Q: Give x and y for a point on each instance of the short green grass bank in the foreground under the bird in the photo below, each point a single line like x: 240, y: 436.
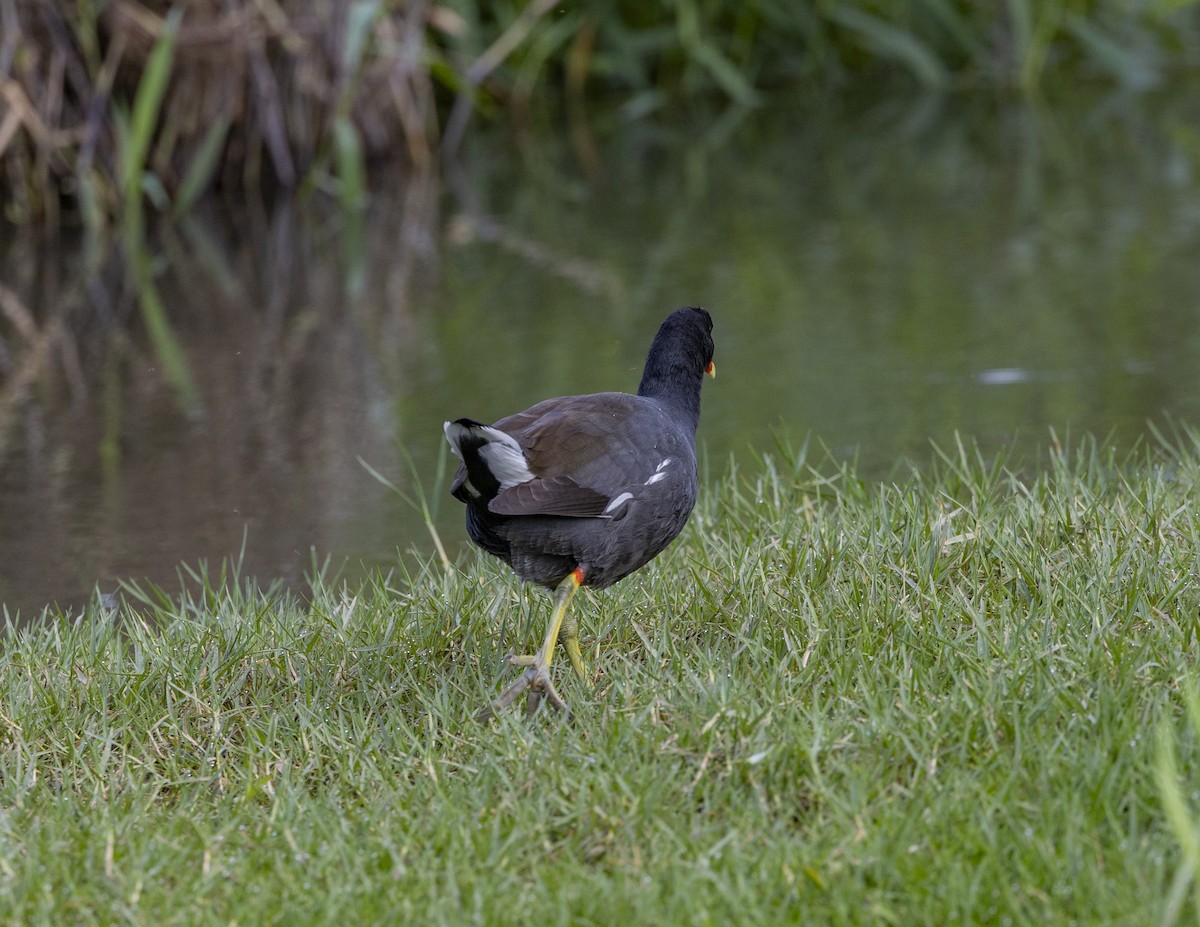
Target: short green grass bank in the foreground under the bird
x: 956, y: 697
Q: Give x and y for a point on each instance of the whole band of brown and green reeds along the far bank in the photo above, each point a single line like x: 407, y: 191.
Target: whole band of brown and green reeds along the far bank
x: 104, y: 103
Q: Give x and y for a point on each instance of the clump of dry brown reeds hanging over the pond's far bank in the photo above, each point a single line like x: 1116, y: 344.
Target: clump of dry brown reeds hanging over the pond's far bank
x: 274, y: 73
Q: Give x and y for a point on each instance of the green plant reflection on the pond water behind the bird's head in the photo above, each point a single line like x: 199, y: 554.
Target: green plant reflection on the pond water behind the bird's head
x: 881, y: 280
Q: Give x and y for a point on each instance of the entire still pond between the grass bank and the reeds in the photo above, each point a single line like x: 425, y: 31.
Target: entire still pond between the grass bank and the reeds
x: 883, y: 274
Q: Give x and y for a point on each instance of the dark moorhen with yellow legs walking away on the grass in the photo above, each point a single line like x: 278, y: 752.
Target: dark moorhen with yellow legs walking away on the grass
x: 585, y: 491
